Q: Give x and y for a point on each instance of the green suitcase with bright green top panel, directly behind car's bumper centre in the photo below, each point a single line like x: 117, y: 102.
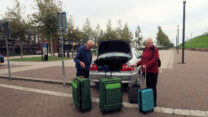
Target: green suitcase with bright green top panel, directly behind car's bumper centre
x: 110, y: 94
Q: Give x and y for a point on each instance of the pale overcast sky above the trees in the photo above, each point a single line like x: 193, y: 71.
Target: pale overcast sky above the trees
x: 149, y: 14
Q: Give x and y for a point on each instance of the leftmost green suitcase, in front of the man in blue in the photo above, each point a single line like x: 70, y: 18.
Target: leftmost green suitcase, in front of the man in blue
x: 81, y: 93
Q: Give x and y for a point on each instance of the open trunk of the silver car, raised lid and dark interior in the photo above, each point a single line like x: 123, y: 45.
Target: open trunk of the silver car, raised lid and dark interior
x: 113, y: 54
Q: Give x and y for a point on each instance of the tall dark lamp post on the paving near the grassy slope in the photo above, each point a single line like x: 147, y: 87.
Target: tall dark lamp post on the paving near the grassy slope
x: 184, y: 11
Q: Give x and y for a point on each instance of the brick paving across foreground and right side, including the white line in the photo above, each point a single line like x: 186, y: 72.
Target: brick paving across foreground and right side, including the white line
x: 182, y: 91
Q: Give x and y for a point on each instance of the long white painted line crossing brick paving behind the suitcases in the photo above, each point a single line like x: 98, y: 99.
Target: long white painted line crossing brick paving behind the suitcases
x: 125, y: 104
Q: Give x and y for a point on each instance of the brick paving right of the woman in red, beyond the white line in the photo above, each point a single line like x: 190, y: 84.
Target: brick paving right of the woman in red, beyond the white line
x: 186, y: 85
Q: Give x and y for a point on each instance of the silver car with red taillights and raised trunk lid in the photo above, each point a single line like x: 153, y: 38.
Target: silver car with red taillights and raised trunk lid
x: 116, y: 52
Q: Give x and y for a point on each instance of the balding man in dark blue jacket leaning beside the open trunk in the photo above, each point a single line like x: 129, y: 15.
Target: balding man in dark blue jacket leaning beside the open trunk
x: 83, y: 59
